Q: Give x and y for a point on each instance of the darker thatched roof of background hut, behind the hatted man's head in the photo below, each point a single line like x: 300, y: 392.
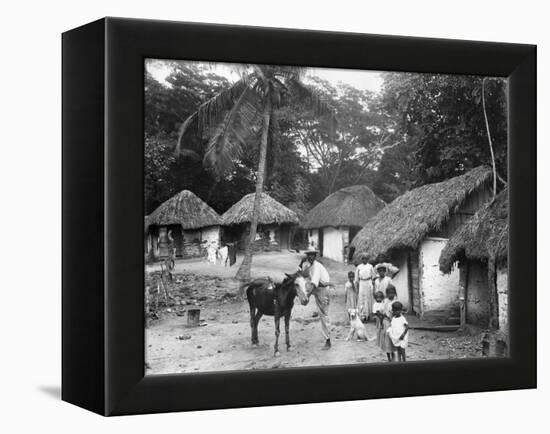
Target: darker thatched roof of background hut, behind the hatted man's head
x: 350, y: 206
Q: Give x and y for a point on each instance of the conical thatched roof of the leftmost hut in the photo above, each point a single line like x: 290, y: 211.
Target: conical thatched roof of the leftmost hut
x: 185, y: 209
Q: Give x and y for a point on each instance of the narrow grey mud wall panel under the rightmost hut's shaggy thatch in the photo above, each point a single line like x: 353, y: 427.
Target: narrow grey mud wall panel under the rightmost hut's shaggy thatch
x: 477, y: 294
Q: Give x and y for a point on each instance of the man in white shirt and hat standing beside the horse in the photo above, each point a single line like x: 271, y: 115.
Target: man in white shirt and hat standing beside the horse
x: 320, y: 279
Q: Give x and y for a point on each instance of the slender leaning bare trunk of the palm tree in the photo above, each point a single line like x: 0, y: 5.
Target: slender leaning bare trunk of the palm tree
x: 244, y: 270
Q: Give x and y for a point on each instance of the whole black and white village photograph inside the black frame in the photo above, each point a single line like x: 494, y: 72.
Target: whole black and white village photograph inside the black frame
x: 299, y: 216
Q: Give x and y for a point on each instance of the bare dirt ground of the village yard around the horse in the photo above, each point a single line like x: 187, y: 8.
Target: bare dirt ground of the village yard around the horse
x: 222, y: 341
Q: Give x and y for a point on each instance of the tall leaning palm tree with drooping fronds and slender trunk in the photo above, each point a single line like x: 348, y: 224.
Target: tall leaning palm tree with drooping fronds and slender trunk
x: 242, y: 112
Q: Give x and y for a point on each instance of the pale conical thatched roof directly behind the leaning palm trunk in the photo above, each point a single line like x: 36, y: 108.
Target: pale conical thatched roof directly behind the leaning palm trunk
x: 271, y: 211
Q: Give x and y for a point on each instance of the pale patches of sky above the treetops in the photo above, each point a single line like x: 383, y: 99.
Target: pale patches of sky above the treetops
x: 364, y: 80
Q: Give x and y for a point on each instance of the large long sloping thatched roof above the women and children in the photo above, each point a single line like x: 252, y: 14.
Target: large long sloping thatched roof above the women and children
x: 408, y: 219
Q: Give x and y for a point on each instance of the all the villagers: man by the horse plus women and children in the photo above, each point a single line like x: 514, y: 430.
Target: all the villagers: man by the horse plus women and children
x: 368, y: 291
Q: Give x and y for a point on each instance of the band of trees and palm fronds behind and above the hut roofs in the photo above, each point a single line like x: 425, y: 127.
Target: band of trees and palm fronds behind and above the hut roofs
x: 420, y: 128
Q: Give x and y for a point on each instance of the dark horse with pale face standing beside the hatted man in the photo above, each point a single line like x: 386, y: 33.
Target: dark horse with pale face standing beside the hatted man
x: 277, y: 300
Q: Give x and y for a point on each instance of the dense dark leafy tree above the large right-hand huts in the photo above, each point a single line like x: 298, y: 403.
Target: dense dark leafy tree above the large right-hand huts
x: 441, y: 119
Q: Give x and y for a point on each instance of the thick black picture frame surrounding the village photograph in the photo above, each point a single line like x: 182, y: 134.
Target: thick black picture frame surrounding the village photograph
x: 103, y: 279
